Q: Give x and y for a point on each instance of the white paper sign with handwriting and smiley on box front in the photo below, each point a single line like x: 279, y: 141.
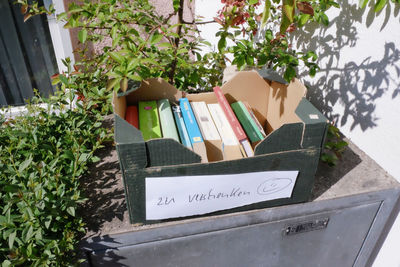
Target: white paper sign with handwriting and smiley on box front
x: 171, y: 197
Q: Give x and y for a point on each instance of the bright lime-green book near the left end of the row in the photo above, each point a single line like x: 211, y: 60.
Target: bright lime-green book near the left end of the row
x: 149, y: 122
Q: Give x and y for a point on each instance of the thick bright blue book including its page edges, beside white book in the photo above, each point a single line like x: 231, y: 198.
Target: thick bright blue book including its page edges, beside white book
x: 193, y: 129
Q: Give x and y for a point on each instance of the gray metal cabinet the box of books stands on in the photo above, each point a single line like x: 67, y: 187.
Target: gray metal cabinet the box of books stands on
x: 344, y: 225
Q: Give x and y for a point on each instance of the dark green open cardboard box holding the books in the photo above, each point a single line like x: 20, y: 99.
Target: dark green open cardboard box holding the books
x: 295, y: 135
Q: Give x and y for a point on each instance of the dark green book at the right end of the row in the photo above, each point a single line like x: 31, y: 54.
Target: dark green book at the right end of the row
x: 247, y: 122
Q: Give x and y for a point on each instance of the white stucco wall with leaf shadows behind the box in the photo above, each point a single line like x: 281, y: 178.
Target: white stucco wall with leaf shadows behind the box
x: 358, y: 86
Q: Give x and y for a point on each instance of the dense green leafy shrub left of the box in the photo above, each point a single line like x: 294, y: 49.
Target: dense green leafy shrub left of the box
x: 42, y: 155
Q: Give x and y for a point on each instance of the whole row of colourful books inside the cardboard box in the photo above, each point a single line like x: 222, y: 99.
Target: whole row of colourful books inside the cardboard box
x: 215, y: 131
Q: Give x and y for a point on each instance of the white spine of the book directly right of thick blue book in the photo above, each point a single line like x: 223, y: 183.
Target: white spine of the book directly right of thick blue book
x: 205, y: 122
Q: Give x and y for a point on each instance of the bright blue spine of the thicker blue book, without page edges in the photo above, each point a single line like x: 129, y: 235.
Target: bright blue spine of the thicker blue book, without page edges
x: 190, y: 121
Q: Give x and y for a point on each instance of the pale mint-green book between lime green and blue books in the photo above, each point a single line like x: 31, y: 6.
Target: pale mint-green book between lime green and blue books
x: 168, y: 127
